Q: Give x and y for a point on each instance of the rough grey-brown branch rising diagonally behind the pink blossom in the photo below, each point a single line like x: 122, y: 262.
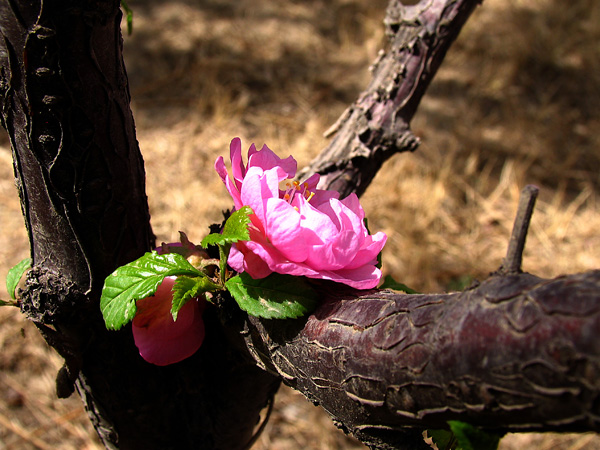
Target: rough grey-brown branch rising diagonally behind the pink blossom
x: 377, y: 125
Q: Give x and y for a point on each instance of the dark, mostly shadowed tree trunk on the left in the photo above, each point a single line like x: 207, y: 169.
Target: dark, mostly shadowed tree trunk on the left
x: 65, y: 105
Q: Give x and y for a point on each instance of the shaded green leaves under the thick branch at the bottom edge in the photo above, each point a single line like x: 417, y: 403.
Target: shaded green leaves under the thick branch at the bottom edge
x: 463, y: 436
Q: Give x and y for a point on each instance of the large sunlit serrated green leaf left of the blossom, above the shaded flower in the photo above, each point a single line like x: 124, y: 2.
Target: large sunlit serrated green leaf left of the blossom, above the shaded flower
x: 137, y: 280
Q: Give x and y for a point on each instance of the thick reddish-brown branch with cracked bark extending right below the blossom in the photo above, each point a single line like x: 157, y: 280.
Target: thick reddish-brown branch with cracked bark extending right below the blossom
x: 514, y: 353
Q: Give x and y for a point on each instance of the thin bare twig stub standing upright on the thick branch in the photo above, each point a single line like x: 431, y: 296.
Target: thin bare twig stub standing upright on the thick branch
x: 514, y: 255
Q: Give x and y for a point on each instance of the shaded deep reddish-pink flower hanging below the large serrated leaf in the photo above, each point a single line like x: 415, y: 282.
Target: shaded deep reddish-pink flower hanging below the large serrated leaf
x: 161, y: 340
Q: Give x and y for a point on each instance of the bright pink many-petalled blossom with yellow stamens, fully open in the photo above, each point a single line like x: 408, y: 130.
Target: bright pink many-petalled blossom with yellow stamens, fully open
x: 296, y: 228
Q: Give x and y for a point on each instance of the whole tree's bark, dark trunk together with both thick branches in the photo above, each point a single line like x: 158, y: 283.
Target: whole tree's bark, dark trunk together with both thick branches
x: 377, y: 361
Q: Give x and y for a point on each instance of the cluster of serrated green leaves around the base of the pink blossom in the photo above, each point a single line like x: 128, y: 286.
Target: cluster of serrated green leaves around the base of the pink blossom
x: 274, y: 297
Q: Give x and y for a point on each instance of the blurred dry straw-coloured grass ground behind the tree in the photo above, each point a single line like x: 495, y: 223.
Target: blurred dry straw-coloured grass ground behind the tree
x: 516, y: 102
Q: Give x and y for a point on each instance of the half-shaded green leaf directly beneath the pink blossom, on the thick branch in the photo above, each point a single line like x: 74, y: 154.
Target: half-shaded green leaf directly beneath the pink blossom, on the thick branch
x: 274, y: 297
